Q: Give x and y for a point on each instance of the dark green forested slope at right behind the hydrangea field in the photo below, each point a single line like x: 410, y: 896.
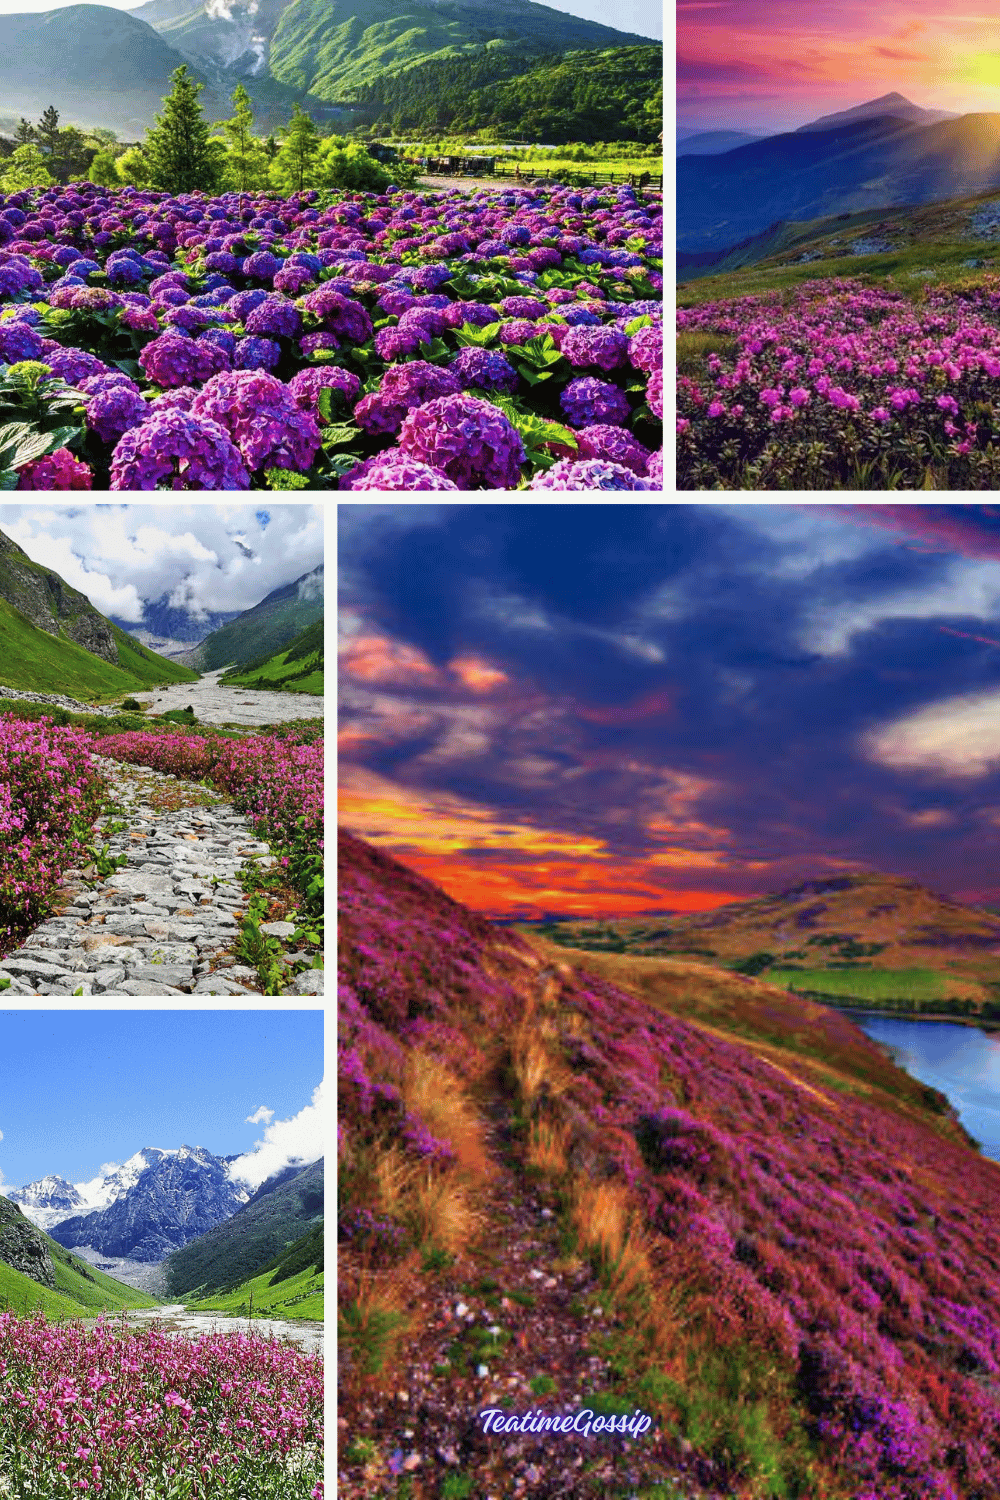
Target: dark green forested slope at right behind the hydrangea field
x: 608, y: 95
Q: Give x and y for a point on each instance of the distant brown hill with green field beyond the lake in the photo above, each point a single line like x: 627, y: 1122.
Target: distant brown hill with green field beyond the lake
x: 872, y: 940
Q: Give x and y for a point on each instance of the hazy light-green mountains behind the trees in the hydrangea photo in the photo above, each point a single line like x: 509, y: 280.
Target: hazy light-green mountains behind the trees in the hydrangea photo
x: 107, y: 67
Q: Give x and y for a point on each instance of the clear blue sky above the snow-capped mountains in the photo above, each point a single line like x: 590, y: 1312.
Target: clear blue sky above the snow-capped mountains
x: 80, y: 1090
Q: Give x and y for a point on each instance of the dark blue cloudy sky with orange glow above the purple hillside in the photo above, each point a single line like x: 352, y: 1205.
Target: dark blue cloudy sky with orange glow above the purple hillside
x: 600, y: 710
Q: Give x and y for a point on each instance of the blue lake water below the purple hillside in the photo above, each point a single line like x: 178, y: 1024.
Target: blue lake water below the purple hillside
x: 960, y: 1061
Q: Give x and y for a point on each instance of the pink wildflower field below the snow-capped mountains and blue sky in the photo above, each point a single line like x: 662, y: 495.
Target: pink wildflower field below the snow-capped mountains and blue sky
x: 142, y: 1415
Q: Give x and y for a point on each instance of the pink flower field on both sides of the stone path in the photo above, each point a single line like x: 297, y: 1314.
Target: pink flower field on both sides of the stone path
x: 52, y: 791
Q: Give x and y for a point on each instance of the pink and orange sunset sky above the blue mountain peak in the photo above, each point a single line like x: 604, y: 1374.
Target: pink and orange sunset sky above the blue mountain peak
x: 747, y: 65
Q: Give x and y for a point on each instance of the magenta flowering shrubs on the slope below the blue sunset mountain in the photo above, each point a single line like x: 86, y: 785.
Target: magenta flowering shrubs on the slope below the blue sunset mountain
x: 842, y: 386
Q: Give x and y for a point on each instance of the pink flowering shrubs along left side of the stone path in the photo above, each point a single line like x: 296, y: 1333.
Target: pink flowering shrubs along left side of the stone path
x: 50, y: 796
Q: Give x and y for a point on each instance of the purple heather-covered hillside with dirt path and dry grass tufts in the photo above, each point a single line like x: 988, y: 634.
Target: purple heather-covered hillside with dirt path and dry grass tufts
x: 557, y: 1193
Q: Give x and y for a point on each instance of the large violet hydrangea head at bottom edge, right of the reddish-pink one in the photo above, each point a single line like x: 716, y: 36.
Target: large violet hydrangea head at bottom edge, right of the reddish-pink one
x: 178, y: 451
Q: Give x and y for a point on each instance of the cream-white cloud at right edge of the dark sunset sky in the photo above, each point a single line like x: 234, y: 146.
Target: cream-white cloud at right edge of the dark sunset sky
x: 957, y: 737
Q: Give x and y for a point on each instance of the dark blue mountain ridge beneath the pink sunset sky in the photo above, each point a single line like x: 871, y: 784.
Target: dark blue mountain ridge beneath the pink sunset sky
x: 852, y: 164
